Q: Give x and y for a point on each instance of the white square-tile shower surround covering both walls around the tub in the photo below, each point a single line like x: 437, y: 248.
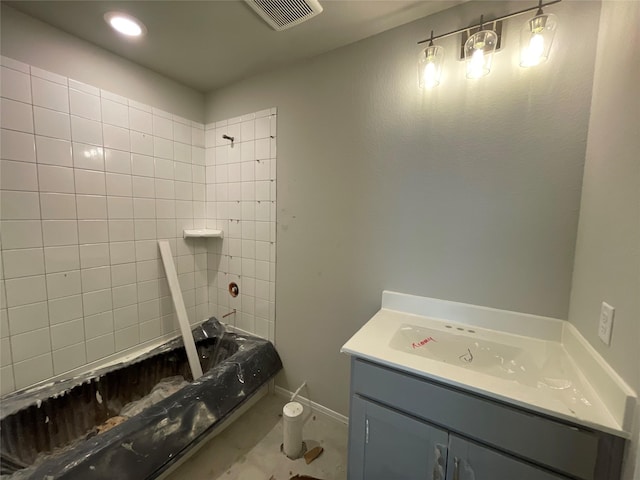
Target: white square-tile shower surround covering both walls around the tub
x: 90, y: 181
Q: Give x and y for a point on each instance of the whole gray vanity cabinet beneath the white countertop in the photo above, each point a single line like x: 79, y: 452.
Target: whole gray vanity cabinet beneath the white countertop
x: 406, y: 427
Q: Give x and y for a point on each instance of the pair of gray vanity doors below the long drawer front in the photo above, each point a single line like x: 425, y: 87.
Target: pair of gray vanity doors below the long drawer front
x: 389, y: 445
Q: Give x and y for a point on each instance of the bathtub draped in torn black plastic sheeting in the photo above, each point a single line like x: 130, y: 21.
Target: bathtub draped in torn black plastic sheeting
x: 51, y: 432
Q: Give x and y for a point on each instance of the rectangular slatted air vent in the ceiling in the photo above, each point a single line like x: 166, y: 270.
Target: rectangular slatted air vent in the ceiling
x: 283, y: 14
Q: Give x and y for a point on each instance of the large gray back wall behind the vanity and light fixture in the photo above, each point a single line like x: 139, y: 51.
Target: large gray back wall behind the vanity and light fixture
x: 469, y: 192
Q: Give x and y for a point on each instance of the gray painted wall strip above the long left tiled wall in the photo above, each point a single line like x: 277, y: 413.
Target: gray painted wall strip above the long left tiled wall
x: 31, y: 41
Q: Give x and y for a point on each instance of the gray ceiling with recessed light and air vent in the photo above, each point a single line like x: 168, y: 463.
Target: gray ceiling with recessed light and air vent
x: 208, y: 44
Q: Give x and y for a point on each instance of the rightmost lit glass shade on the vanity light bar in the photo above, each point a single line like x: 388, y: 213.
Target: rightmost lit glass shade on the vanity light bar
x: 536, y: 38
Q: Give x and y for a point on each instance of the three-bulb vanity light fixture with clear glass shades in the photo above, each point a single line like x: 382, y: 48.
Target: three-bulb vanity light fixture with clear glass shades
x: 478, y: 48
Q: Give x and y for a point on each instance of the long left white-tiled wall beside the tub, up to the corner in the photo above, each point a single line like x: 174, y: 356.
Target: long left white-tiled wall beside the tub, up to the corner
x: 89, y: 181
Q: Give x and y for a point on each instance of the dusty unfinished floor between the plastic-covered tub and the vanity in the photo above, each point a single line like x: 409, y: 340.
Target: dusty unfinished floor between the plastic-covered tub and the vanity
x: 250, y: 448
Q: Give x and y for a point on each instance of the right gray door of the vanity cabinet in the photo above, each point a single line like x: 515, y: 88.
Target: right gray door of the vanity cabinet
x: 470, y: 461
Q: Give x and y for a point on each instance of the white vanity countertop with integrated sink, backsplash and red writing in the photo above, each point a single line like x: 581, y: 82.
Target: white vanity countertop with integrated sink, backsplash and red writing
x: 537, y: 363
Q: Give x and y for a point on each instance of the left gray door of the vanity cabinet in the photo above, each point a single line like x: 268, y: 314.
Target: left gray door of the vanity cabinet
x: 387, y: 445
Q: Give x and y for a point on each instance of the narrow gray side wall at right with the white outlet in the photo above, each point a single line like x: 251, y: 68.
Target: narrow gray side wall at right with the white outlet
x: 607, y: 261
